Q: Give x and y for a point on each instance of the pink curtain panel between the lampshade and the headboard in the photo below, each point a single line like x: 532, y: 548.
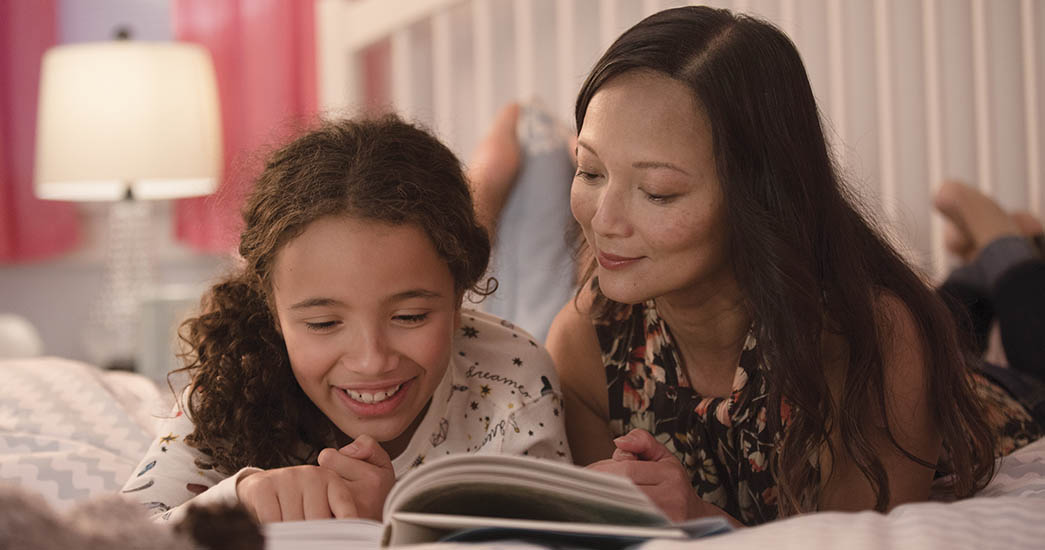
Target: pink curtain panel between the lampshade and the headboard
x: 265, y: 57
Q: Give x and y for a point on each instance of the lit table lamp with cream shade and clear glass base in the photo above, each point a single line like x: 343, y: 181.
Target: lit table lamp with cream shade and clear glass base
x: 126, y: 122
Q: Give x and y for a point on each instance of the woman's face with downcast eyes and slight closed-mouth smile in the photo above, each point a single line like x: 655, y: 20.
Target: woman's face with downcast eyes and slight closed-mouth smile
x: 646, y: 192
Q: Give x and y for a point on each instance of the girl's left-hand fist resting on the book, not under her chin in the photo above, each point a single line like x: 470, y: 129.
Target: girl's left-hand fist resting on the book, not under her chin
x: 296, y: 494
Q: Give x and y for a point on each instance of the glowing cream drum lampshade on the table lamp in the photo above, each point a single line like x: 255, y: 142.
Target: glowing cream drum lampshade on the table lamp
x: 127, y: 118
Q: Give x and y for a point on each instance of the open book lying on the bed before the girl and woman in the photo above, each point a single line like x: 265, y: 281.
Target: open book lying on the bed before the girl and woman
x: 497, y: 497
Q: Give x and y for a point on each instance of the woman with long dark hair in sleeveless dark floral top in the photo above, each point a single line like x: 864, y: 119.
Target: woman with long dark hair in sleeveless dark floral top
x: 740, y: 308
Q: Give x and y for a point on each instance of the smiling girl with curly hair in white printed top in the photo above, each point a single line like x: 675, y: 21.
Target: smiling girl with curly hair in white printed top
x: 340, y: 356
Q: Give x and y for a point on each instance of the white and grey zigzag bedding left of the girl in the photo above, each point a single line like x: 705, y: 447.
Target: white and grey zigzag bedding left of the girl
x: 69, y: 431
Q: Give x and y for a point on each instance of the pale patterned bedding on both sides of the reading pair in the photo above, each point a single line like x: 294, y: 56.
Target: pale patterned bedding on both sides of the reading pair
x: 69, y: 431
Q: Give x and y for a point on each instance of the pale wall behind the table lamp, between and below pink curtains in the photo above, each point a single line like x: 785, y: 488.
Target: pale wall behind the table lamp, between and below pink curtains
x: 58, y: 295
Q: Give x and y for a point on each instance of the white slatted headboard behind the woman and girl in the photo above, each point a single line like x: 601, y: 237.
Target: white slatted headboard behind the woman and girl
x: 915, y: 91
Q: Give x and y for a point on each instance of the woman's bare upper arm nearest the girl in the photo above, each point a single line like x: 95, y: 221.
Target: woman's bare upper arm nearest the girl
x: 574, y: 348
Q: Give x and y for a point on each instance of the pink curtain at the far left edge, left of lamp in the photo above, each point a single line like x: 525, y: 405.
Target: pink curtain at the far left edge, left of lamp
x: 30, y: 228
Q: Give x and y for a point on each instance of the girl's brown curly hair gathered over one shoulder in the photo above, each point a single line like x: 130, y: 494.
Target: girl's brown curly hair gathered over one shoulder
x: 247, y: 407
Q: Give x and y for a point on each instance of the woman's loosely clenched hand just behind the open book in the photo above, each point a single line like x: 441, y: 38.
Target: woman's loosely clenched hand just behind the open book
x: 660, y: 475
